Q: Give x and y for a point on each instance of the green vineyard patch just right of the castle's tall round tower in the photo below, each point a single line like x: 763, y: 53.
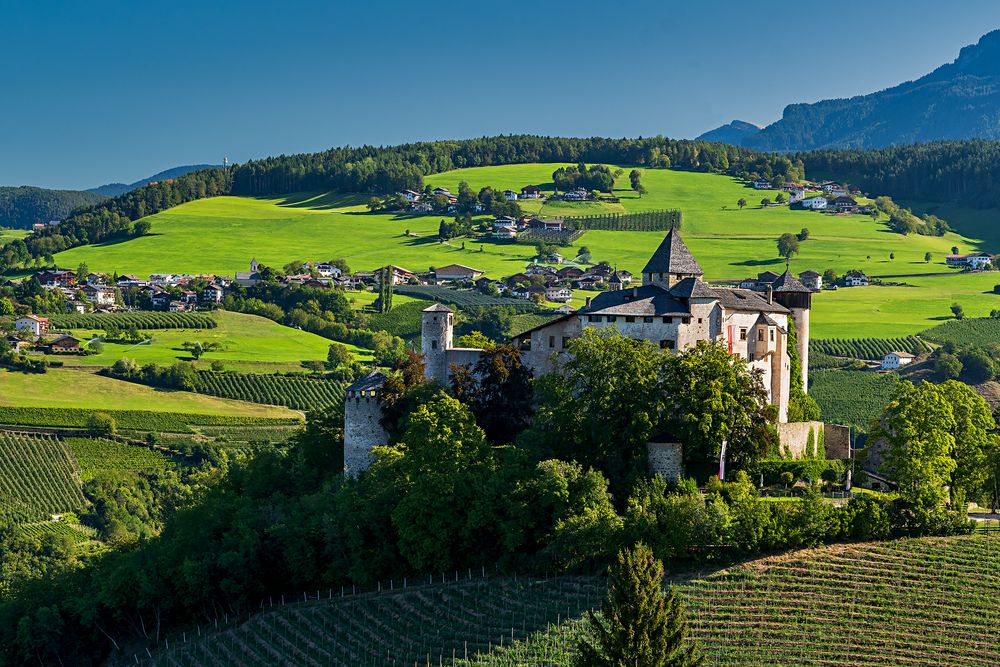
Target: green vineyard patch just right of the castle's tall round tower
x: 851, y: 398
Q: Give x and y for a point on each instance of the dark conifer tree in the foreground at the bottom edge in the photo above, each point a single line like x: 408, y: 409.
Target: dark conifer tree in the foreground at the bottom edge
x: 641, y: 627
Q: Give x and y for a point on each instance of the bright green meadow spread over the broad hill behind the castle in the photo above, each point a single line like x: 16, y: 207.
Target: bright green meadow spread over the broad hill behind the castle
x: 222, y: 234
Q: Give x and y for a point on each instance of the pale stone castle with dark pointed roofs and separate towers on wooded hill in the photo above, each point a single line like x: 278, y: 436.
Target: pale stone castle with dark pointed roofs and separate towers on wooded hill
x: 672, y: 308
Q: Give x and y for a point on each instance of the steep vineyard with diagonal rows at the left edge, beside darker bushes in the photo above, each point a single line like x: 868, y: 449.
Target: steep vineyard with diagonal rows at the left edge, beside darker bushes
x: 37, y: 478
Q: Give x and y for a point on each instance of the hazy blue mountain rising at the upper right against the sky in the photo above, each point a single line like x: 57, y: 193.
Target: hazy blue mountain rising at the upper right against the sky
x: 960, y: 100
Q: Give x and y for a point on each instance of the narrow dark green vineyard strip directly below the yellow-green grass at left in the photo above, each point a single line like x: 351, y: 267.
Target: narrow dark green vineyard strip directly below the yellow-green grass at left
x: 136, y: 420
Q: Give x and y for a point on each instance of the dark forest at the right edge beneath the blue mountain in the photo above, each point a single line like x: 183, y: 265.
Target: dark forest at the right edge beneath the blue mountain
x: 966, y: 172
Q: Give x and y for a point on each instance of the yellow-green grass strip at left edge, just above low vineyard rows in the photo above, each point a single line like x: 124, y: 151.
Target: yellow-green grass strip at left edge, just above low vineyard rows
x: 82, y: 388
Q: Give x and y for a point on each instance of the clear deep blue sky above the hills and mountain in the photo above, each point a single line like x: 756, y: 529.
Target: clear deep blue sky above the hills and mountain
x: 115, y: 91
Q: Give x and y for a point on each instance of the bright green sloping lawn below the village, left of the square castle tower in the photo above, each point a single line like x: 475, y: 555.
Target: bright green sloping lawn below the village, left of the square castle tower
x: 249, y: 343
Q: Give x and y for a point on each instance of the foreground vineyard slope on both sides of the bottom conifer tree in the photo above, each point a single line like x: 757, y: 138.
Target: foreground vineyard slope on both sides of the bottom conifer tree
x: 918, y: 602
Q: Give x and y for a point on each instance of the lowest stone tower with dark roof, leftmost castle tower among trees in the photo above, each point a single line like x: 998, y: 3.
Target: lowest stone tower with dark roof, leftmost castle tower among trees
x: 362, y: 422
